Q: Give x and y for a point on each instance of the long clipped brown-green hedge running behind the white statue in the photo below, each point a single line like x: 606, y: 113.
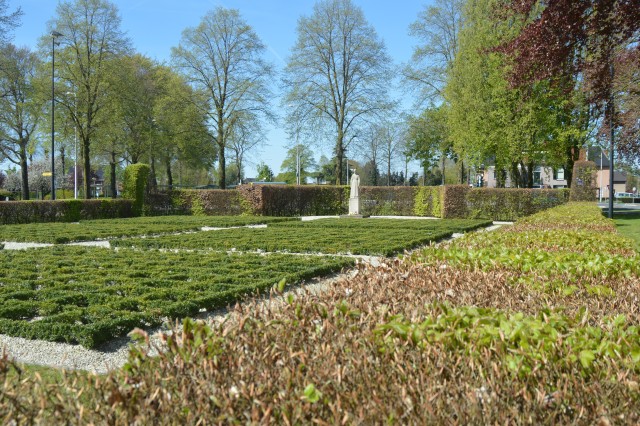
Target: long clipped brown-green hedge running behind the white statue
x: 451, y: 201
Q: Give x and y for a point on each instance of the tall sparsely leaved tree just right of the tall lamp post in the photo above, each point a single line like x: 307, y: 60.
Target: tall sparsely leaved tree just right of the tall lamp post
x: 91, y: 38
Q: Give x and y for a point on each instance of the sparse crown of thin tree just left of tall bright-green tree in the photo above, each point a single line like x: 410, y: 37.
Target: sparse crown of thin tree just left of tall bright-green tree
x: 437, y: 30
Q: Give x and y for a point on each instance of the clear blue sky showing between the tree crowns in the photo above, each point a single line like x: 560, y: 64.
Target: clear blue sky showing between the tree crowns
x: 154, y: 26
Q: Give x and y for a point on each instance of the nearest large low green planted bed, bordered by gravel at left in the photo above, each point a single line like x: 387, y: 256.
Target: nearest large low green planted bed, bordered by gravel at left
x: 88, y: 296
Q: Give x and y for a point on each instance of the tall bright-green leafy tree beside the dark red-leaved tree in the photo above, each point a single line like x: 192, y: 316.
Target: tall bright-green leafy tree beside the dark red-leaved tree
x: 487, y: 119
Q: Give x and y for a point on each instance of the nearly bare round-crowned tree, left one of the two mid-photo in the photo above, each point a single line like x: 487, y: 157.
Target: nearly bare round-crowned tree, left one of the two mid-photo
x: 223, y: 57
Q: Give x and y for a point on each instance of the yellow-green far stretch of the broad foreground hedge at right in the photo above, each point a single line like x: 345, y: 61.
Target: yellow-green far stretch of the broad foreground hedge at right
x: 552, y: 250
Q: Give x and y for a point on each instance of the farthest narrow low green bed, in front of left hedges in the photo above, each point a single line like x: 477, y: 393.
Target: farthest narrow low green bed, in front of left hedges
x: 91, y: 230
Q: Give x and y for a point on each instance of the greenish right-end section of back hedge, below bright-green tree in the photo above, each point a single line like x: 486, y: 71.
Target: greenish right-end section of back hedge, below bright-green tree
x: 512, y: 203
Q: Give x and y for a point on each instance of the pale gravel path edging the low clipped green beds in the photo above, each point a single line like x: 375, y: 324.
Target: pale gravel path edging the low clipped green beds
x: 114, y: 354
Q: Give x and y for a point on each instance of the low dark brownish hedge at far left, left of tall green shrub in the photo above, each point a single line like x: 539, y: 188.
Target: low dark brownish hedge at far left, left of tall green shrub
x: 15, y: 212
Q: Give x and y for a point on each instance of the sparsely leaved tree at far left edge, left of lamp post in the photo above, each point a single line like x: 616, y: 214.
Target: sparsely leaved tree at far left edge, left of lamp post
x: 20, y: 107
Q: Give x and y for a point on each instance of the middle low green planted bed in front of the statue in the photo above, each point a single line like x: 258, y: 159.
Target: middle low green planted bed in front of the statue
x: 330, y: 236
